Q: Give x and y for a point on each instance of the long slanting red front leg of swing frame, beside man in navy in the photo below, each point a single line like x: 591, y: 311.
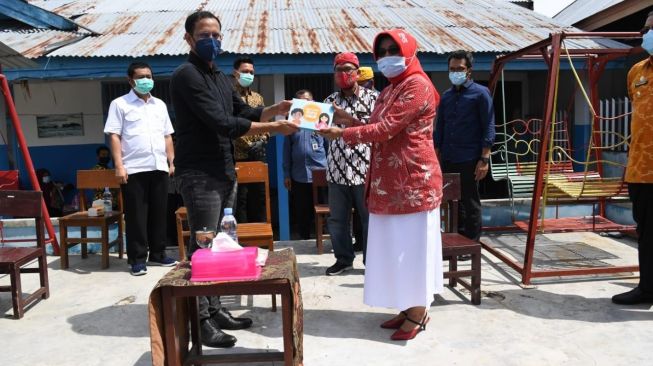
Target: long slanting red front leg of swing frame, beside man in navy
x: 556, y: 40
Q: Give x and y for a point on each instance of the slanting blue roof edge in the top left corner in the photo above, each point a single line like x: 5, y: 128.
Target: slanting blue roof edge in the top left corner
x: 35, y: 16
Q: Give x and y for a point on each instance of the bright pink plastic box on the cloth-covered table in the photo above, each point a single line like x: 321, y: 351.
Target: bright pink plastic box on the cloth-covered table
x: 225, y: 266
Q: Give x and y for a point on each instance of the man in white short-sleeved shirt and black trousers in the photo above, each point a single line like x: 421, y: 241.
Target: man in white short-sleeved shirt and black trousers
x: 139, y: 130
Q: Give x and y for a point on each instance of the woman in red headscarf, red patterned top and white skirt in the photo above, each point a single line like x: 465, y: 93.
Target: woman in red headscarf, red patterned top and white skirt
x: 403, y: 187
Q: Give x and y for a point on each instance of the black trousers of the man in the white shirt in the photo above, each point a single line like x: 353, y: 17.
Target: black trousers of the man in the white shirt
x: 145, y: 196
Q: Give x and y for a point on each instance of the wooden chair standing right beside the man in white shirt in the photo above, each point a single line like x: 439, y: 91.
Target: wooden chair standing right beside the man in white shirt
x: 92, y: 180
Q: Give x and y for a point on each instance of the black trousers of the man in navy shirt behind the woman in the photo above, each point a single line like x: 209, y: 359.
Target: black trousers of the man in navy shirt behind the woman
x: 469, y: 211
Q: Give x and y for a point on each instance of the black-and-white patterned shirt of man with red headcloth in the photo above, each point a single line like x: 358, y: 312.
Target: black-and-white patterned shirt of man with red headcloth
x: 347, y: 165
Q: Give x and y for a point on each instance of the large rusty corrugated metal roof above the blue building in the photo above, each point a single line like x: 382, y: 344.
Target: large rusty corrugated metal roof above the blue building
x: 143, y: 28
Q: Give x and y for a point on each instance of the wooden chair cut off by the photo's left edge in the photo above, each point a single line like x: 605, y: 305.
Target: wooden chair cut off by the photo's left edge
x: 12, y: 260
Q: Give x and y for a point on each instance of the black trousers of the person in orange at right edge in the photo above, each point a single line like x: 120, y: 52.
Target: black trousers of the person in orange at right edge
x: 641, y: 194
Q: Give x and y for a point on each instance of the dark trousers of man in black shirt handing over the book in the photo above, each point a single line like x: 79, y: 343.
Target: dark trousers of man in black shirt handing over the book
x: 205, y: 199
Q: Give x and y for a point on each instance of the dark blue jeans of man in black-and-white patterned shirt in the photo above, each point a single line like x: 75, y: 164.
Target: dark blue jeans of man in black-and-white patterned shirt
x: 342, y: 199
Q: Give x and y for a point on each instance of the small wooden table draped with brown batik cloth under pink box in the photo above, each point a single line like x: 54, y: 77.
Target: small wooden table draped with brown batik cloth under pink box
x: 173, y: 304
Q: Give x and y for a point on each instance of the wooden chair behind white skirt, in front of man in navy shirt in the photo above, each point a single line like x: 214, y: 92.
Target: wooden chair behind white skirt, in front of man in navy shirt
x: 454, y: 244
